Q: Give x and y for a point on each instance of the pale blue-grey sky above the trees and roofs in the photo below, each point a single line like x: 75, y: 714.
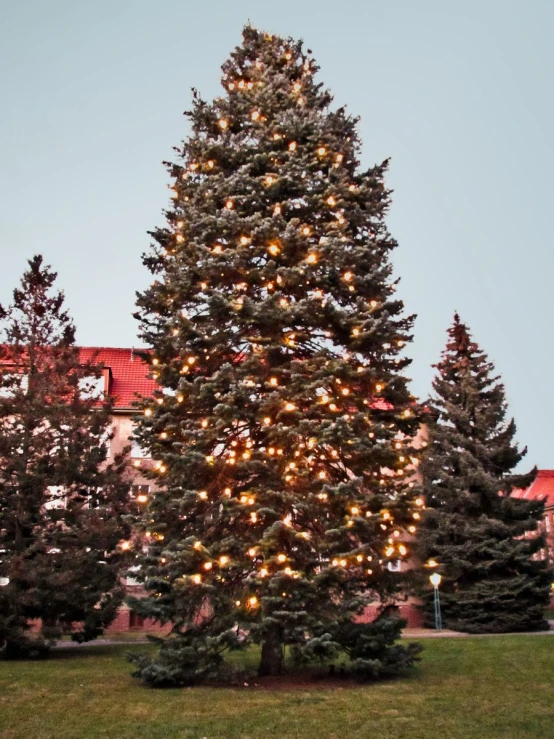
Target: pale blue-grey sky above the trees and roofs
x: 459, y: 95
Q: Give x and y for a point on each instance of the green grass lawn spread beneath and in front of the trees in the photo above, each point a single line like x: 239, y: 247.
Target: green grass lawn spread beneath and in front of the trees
x: 464, y: 688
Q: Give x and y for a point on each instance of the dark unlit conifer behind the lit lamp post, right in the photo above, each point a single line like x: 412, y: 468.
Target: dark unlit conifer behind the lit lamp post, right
x: 483, y: 540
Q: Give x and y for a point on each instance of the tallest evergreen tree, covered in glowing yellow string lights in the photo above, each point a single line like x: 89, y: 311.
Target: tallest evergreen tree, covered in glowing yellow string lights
x: 282, y: 428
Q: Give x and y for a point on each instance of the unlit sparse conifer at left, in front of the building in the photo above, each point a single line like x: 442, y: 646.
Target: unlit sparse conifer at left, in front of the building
x: 61, y: 504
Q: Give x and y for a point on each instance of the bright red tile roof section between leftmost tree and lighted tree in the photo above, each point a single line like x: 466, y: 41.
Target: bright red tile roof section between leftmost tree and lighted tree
x: 128, y: 372
